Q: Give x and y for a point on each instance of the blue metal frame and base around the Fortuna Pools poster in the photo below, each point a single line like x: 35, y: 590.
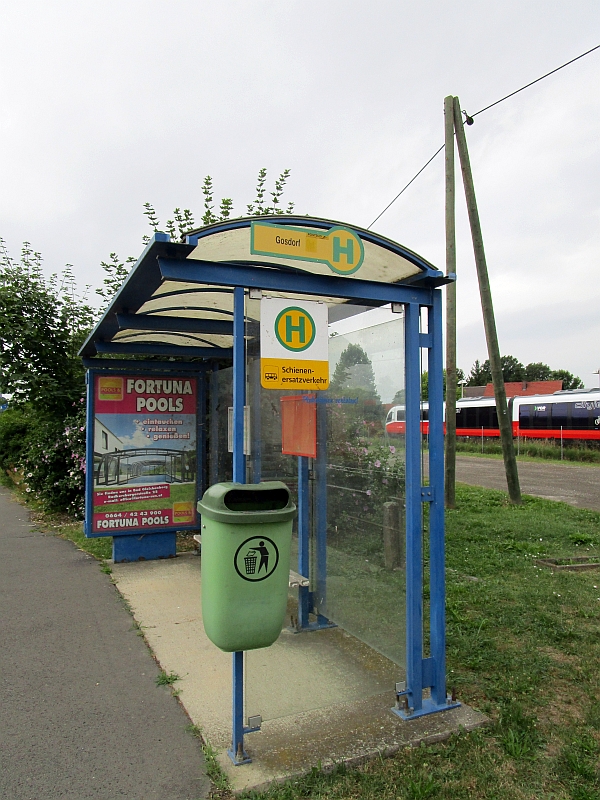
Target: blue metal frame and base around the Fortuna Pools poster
x: 133, y: 544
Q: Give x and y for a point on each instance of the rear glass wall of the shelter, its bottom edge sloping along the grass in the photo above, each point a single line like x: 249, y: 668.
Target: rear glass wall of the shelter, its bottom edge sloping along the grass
x: 365, y: 582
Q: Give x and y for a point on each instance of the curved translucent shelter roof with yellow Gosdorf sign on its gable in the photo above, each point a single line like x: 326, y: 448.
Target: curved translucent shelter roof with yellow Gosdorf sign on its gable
x: 158, y: 312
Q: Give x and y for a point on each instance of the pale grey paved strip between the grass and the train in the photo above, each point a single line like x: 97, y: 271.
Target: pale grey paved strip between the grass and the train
x: 570, y: 483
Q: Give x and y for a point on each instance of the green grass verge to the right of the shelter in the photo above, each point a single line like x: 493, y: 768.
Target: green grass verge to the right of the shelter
x: 523, y: 647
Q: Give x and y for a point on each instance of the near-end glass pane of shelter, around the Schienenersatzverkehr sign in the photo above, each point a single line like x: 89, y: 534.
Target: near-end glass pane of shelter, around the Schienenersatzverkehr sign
x: 356, y: 520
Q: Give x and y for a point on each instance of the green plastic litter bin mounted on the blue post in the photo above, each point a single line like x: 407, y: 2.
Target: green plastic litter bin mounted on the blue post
x: 246, y: 542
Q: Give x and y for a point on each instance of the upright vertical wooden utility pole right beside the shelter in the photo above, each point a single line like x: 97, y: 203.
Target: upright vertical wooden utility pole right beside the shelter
x: 450, y: 473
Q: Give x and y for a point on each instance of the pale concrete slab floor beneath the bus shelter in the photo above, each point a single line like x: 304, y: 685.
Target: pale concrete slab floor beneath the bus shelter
x: 324, y: 696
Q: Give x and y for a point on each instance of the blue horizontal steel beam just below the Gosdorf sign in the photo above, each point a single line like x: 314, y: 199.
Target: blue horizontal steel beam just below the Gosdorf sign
x: 224, y: 274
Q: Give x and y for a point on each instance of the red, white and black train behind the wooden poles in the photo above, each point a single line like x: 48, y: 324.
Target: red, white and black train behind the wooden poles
x: 567, y: 415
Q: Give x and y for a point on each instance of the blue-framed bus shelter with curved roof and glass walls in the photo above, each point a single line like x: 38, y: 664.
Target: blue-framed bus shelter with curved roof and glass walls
x: 271, y: 348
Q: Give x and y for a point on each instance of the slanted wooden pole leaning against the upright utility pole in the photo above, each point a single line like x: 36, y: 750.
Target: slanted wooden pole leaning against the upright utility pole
x: 508, y: 450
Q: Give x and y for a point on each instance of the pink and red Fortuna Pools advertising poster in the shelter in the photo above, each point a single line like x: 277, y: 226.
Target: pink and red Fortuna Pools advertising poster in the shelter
x: 145, y: 462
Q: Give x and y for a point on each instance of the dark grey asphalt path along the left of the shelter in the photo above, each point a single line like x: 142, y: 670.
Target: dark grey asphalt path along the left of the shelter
x: 80, y: 714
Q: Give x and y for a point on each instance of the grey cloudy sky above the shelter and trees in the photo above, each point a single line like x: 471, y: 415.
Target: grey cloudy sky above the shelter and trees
x: 106, y: 106
